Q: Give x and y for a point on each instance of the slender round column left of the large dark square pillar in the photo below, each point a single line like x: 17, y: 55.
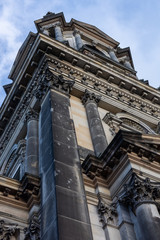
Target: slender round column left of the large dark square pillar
x: 31, y: 164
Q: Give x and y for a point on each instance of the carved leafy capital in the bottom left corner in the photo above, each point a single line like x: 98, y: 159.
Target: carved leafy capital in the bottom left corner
x: 7, y: 230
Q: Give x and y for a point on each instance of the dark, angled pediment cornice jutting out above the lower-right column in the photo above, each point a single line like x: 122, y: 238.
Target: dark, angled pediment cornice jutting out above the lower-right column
x: 124, y: 143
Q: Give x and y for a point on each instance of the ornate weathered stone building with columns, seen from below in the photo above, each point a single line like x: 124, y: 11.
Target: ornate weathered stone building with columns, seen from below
x: 79, y: 140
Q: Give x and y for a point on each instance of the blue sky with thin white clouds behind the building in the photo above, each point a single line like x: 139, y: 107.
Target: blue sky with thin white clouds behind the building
x: 133, y: 23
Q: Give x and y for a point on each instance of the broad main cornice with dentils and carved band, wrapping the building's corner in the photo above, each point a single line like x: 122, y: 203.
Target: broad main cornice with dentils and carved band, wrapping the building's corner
x: 86, y: 72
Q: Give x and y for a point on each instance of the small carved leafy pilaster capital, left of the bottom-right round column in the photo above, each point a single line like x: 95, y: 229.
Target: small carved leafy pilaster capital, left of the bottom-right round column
x: 107, y: 212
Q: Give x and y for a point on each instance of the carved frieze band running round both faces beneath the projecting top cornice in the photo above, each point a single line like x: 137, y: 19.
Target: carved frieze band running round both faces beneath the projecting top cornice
x: 105, y: 87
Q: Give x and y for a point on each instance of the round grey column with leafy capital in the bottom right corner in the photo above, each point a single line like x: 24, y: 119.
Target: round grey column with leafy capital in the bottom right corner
x: 140, y: 195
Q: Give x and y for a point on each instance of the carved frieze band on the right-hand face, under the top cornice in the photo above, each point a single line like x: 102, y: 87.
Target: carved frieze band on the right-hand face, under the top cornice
x: 110, y: 90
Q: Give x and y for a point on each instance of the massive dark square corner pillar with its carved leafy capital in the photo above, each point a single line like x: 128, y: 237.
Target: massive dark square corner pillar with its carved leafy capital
x: 64, y: 212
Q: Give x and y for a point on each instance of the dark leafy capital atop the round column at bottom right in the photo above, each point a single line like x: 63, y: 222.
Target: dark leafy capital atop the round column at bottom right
x: 138, y: 191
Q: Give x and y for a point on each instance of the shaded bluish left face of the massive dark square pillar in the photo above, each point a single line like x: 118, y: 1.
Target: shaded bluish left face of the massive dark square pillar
x: 48, y: 194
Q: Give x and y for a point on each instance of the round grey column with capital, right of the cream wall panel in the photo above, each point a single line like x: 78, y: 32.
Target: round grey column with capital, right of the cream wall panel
x: 90, y: 101
